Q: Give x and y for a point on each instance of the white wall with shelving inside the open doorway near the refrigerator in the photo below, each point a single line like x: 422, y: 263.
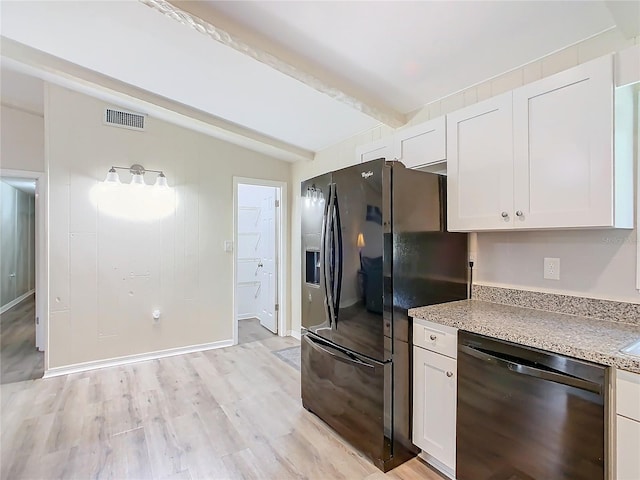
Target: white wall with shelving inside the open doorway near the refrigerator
x: 249, y: 291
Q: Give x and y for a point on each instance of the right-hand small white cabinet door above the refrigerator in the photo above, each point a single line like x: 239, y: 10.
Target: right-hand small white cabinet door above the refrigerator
x: 421, y: 144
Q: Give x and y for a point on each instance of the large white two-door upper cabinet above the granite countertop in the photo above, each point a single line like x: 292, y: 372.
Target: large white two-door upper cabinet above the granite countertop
x: 541, y: 157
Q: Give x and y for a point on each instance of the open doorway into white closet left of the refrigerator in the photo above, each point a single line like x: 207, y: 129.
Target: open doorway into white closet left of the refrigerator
x: 258, y: 238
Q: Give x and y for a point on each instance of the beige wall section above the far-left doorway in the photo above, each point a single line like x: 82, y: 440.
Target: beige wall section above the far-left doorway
x: 21, y: 140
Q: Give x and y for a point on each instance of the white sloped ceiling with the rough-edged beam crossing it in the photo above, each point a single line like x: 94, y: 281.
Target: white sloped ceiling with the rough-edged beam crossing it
x: 305, y: 74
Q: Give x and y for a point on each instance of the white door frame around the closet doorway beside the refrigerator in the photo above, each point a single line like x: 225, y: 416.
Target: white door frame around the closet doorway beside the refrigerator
x: 281, y: 249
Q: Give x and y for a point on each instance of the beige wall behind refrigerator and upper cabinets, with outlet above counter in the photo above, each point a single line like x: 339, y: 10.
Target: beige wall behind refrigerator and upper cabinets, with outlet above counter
x: 599, y: 264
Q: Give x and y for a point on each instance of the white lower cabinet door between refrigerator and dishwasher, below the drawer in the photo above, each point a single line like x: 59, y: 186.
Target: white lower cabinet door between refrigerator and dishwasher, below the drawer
x: 434, y: 405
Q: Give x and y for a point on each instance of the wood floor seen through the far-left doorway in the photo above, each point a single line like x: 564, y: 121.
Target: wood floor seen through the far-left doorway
x: 19, y: 358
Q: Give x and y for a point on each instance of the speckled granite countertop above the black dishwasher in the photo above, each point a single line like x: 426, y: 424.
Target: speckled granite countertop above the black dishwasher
x: 590, y: 339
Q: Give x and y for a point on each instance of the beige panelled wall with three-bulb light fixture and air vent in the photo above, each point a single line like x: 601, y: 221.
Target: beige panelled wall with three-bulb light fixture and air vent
x: 108, y: 274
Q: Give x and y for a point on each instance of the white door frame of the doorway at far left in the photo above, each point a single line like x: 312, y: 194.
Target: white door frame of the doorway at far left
x: 42, y: 253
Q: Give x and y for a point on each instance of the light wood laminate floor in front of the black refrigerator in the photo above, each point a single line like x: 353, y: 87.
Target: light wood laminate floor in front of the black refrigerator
x: 232, y: 413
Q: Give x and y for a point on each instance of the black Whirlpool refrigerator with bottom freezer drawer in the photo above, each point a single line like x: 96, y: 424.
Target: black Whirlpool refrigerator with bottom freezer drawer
x: 374, y: 244
